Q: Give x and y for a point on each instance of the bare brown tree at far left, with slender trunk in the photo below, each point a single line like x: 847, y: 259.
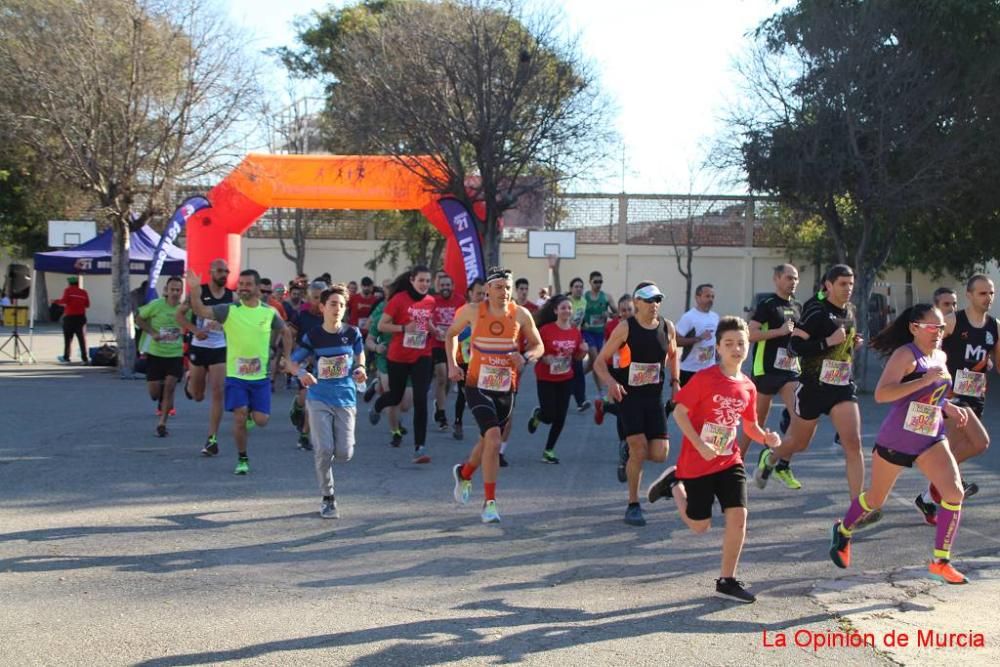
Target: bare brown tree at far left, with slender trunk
x: 126, y: 99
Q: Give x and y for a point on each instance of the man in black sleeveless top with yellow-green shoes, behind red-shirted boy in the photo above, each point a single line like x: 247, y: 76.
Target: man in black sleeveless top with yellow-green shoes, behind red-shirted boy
x: 775, y: 371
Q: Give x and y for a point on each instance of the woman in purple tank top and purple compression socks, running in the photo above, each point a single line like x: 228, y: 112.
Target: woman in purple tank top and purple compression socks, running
x: 915, y: 381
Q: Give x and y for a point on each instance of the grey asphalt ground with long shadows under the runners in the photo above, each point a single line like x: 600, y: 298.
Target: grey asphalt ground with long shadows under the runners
x: 117, y: 547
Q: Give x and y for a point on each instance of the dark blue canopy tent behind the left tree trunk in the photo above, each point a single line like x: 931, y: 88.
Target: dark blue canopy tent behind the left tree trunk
x: 94, y: 258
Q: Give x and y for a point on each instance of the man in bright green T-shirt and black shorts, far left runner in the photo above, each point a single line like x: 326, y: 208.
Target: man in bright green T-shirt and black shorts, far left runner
x: 165, y: 360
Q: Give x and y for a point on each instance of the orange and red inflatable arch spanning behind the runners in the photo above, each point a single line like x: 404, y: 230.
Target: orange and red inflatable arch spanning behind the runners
x: 358, y: 182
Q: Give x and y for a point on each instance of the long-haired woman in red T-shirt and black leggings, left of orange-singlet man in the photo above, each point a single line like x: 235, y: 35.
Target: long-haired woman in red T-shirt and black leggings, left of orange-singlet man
x: 410, y: 313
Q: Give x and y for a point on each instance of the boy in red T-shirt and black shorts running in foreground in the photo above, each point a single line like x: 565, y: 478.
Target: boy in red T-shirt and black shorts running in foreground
x: 708, y: 411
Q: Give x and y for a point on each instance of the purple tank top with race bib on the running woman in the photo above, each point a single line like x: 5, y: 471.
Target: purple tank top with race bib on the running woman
x: 913, y: 424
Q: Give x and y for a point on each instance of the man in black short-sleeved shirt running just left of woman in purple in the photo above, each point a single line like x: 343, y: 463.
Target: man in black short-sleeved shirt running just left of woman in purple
x: 825, y: 339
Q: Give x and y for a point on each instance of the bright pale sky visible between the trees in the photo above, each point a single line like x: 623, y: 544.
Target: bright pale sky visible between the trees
x: 666, y: 64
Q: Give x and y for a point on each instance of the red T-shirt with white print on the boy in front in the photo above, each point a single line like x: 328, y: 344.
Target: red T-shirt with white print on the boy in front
x: 720, y: 402
